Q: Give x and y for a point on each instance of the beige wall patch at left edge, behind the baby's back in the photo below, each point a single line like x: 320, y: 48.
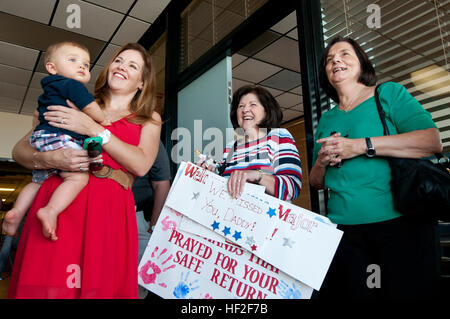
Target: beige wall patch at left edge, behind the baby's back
x: 12, y: 128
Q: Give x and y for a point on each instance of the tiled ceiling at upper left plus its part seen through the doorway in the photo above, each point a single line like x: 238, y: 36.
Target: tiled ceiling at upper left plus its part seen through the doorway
x: 271, y: 60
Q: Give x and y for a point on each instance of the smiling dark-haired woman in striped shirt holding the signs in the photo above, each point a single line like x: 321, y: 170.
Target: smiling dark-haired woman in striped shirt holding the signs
x: 262, y: 153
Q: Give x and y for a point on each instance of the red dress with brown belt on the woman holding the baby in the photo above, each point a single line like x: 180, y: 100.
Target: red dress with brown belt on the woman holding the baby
x: 96, y: 254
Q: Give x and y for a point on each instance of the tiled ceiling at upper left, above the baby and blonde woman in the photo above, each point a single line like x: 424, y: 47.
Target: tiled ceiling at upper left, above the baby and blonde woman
x: 34, y: 24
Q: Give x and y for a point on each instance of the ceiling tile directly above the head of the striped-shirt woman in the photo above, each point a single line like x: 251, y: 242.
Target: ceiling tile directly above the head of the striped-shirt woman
x: 254, y: 71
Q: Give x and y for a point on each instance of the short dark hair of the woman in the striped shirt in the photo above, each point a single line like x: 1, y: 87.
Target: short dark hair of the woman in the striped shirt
x: 271, y: 107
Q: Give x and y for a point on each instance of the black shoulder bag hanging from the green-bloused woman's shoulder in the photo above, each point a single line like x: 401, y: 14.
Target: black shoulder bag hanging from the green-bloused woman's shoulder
x: 420, y: 188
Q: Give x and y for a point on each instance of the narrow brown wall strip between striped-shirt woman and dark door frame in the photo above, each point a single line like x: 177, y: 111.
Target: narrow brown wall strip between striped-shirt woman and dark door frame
x: 297, y: 129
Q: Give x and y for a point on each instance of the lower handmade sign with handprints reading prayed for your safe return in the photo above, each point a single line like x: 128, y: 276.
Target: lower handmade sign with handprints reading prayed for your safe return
x: 178, y: 264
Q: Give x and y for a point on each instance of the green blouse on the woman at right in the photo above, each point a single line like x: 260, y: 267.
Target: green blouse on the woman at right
x: 360, y: 191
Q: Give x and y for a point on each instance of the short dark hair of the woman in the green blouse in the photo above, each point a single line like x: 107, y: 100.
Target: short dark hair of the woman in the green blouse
x: 367, y: 77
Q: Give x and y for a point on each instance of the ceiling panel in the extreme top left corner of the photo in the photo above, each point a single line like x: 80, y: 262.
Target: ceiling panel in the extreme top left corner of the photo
x: 39, y: 11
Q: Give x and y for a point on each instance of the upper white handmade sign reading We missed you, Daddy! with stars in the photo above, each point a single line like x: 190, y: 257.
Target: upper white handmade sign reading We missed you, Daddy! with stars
x: 297, y: 241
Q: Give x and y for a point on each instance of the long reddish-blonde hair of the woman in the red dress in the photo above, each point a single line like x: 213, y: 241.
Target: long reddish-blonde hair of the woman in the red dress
x: 144, y: 102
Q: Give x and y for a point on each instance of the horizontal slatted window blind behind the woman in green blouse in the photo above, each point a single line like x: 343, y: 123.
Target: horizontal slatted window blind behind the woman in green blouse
x: 409, y: 46
